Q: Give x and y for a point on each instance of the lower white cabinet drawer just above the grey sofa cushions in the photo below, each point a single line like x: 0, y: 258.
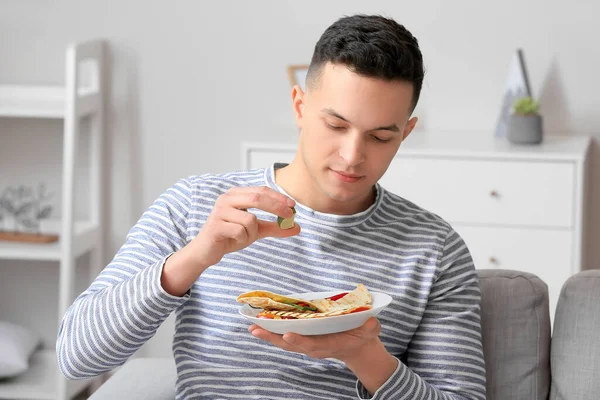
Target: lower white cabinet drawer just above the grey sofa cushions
x: 545, y: 253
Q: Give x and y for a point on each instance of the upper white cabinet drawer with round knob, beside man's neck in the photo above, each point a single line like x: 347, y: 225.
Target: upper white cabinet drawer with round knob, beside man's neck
x: 521, y: 193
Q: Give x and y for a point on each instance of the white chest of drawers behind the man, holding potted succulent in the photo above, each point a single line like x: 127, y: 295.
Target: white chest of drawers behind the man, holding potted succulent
x: 516, y: 207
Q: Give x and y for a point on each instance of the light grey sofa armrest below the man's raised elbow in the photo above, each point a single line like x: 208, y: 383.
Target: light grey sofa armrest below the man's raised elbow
x: 141, y: 378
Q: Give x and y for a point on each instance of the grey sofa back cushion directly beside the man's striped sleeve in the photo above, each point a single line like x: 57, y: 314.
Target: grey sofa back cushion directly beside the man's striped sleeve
x: 515, y: 323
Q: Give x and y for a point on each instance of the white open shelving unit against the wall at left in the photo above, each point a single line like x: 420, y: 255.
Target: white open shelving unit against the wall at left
x: 81, y: 96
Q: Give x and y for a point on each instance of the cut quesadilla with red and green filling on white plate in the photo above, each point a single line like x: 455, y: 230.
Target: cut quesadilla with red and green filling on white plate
x: 277, y: 306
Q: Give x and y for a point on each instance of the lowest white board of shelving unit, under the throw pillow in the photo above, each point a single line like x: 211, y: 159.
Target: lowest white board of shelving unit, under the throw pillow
x: 40, y: 382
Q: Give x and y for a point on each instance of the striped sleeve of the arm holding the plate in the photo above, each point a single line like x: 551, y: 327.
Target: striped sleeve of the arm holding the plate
x: 445, y: 357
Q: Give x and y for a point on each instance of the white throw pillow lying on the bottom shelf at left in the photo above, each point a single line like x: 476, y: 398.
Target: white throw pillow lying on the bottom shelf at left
x: 16, y: 346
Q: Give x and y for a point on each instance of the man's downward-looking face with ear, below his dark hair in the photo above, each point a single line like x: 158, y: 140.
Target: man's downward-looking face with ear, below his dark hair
x: 351, y: 128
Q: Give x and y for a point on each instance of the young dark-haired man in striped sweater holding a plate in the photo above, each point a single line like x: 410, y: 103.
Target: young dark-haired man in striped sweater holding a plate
x: 210, y: 238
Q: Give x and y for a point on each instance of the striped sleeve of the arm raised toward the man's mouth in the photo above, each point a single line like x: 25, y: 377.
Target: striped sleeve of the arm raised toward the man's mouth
x: 126, y: 304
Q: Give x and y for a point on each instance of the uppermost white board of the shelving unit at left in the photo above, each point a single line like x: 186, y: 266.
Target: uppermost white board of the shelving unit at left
x: 32, y: 101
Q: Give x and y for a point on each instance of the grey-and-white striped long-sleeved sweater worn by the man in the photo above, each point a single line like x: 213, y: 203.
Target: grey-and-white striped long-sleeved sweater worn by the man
x: 432, y: 325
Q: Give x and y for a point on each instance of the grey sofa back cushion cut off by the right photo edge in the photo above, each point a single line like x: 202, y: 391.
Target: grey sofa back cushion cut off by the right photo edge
x: 575, y: 354
